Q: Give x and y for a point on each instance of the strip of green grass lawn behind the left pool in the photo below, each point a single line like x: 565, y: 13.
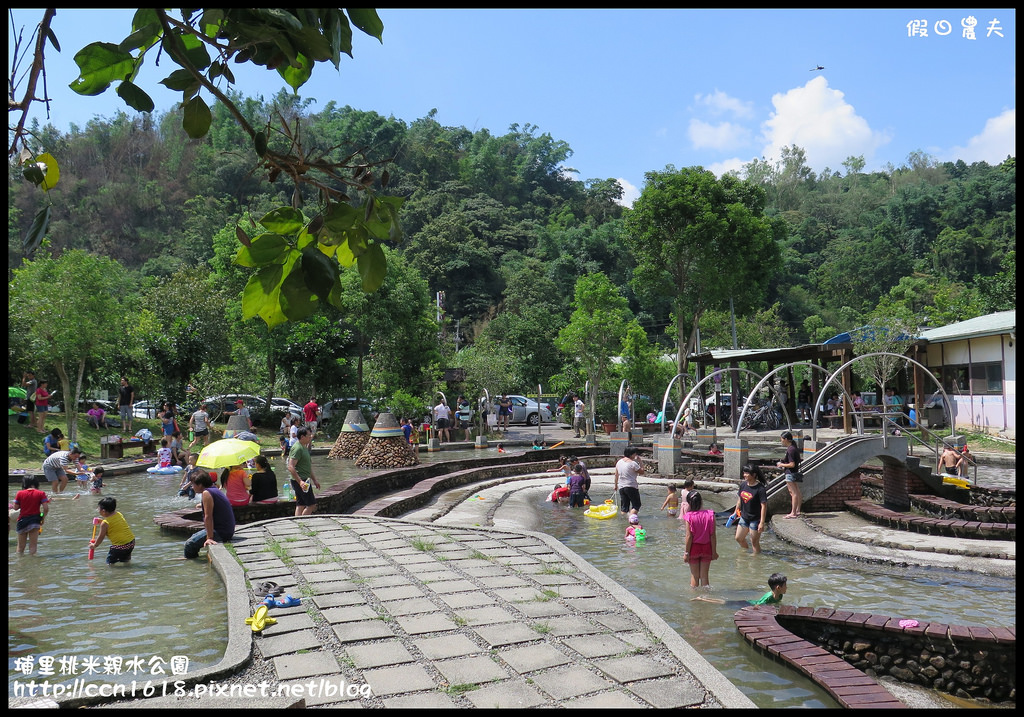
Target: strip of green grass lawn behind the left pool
x: 25, y: 445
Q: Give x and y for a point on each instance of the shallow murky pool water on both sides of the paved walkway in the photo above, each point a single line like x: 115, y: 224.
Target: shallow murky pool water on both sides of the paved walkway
x: 62, y: 606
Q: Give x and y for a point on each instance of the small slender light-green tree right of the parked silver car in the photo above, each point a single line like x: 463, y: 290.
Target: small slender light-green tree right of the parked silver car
x: 596, y: 329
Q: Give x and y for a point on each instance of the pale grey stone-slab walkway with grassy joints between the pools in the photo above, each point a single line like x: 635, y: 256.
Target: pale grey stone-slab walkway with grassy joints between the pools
x: 430, y: 616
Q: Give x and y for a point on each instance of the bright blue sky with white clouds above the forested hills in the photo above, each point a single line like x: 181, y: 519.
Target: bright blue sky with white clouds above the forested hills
x: 632, y: 92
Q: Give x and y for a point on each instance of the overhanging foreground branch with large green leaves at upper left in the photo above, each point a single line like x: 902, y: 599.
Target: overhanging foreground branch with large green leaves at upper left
x: 291, y: 41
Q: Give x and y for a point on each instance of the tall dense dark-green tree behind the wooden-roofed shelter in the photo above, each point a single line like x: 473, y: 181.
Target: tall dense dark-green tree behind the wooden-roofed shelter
x: 701, y: 241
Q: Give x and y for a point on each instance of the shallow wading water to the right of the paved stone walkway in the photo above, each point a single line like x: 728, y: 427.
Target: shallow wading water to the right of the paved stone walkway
x: 654, y: 572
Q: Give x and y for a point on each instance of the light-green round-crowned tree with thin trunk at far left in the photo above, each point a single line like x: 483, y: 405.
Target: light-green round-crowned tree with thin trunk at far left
x: 70, y: 308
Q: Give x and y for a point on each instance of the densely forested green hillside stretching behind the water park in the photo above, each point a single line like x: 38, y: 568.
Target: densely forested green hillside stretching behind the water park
x: 498, y: 223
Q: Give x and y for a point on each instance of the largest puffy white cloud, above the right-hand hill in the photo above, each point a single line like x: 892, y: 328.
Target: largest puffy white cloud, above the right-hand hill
x: 818, y: 119
